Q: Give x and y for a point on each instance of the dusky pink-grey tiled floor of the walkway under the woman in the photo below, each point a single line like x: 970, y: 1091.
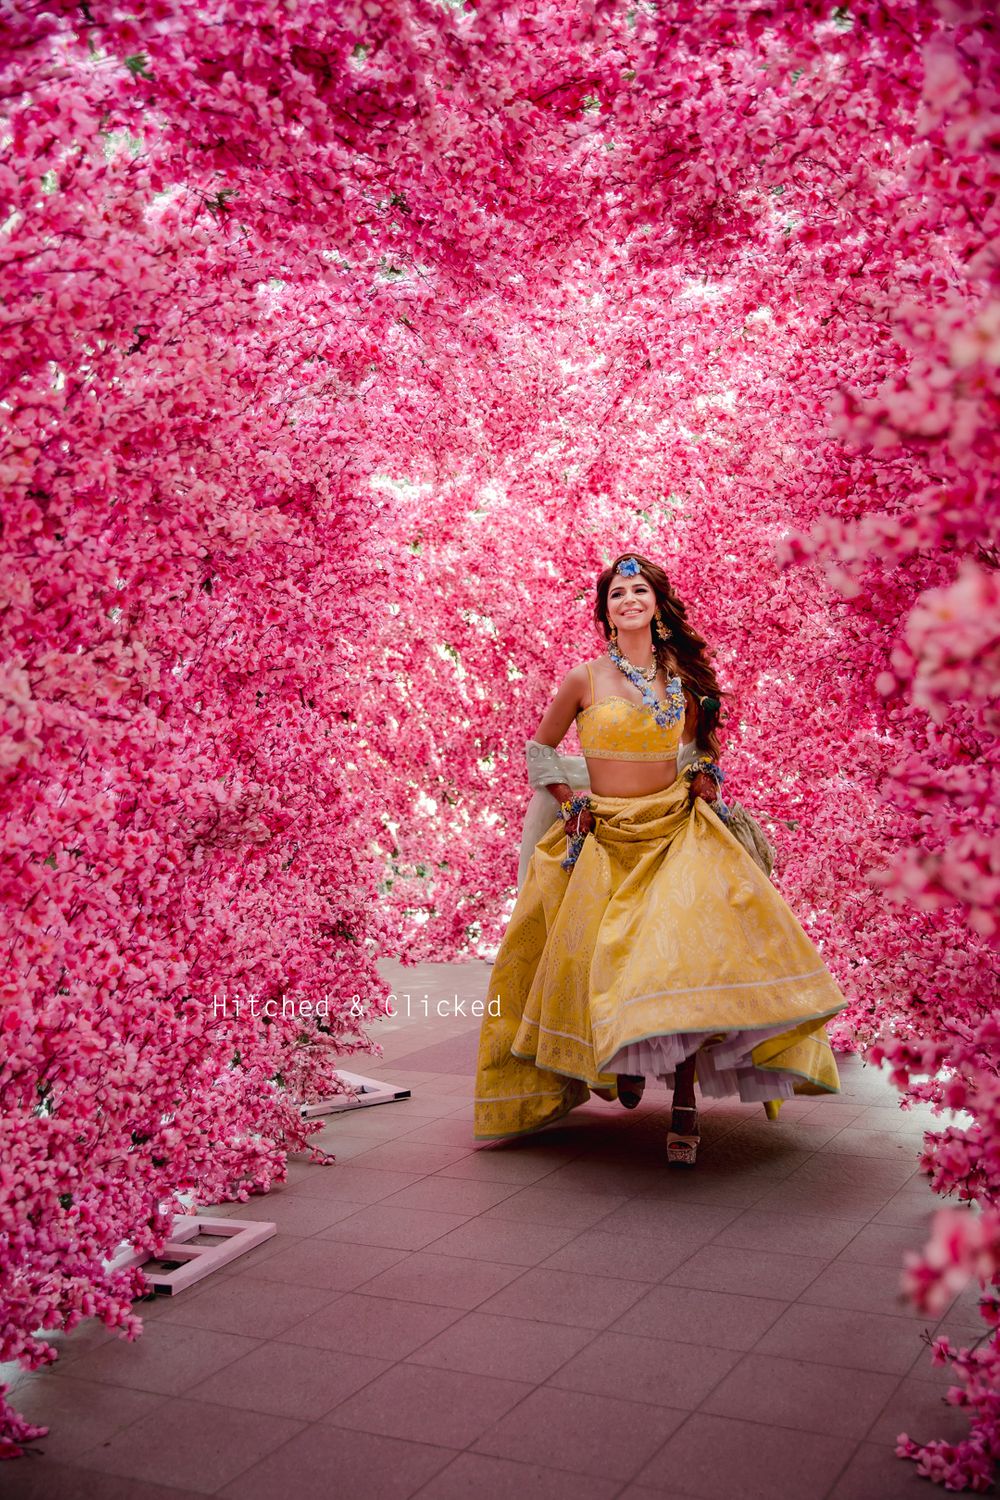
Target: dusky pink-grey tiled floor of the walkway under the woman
x: 558, y: 1316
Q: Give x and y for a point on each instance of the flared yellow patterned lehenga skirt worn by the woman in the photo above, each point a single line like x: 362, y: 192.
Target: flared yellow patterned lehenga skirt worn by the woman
x: 665, y: 940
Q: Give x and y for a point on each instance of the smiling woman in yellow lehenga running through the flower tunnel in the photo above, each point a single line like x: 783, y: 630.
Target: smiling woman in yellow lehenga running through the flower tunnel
x: 645, y: 941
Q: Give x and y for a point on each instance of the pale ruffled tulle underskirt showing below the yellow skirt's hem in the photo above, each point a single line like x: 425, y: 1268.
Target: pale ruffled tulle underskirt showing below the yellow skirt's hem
x: 723, y: 1069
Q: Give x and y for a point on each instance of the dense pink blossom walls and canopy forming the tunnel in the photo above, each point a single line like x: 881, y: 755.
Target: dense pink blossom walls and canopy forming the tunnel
x: 341, y: 347
